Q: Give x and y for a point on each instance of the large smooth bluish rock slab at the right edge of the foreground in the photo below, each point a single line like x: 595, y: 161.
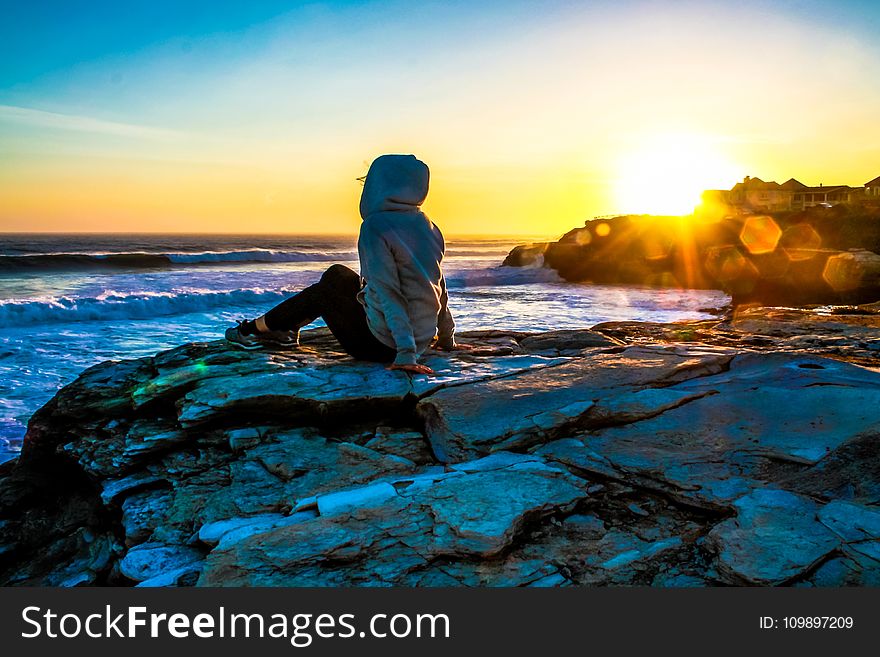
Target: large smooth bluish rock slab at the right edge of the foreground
x: 753, y: 424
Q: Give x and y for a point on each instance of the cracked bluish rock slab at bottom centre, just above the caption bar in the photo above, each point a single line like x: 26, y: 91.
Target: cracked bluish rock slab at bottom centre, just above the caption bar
x: 387, y: 535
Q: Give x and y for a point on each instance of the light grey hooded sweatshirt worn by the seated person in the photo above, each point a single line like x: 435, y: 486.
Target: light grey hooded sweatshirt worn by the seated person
x: 400, y: 251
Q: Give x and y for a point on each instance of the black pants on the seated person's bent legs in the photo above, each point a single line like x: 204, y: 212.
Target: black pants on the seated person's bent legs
x: 333, y: 298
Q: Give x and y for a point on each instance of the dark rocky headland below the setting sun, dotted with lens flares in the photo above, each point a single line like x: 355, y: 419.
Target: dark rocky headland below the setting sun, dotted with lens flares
x: 783, y: 259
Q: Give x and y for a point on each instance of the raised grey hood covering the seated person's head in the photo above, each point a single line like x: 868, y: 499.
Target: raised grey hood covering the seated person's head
x: 394, y: 183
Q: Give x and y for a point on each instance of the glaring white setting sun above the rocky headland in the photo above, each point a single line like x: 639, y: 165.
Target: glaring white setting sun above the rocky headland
x: 667, y: 174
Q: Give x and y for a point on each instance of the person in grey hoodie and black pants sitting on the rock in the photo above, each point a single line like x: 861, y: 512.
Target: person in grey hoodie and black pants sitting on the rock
x: 392, y: 312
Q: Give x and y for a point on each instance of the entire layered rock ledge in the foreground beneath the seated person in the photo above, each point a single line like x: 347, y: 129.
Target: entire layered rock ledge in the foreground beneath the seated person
x: 735, y: 451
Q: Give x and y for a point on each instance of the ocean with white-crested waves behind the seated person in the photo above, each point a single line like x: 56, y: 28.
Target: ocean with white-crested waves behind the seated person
x: 70, y: 301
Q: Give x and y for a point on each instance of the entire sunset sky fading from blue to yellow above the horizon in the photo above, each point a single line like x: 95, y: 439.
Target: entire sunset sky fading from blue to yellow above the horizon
x: 220, y: 116
